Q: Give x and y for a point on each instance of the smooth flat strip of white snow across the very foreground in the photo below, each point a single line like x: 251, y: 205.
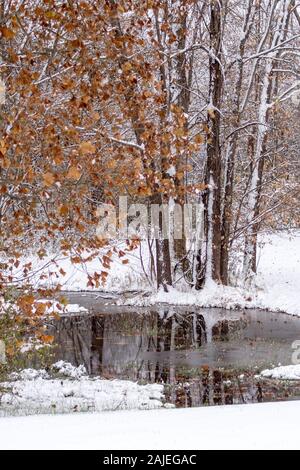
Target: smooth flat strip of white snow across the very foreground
x: 267, y: 426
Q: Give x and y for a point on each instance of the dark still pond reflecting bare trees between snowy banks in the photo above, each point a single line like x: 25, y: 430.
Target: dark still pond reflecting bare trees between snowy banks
x: 203, y: 356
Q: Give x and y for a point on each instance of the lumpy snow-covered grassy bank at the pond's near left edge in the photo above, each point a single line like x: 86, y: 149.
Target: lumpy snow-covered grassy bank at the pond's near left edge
x: 34, y: 391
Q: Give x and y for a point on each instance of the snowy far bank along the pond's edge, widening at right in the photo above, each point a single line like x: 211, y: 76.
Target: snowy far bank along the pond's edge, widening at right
x: 278, y: 281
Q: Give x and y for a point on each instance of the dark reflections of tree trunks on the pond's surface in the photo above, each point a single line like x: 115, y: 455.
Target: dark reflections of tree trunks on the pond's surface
x: 157, y: 347
